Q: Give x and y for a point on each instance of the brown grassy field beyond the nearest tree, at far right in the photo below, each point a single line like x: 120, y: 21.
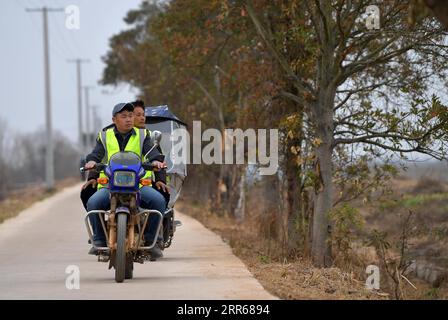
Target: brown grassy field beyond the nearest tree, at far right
x: 427, y: 244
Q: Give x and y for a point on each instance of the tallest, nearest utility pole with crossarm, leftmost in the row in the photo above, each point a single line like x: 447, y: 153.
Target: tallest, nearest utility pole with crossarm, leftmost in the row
x: 49, y: 158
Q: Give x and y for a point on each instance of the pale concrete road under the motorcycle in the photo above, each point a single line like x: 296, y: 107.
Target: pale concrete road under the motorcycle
x: 37, y: 246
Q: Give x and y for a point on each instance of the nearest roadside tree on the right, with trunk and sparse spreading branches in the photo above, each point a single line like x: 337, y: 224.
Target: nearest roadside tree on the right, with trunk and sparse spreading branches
x: 351, y: 67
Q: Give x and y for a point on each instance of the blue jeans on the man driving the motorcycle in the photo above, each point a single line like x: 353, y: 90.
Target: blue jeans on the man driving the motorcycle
x: 150, y: 199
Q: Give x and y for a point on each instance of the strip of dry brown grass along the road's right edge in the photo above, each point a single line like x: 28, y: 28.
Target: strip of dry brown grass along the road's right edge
x: 295, y: 279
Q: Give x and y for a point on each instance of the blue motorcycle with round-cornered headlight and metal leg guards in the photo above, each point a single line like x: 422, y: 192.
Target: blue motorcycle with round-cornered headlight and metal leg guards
x: 125, y: 222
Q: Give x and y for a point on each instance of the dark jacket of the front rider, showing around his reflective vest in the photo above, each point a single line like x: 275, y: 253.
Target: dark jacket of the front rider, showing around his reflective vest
x: 98, y: 153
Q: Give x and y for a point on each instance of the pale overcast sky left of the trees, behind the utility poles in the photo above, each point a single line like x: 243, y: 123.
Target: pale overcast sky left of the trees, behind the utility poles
x: 22, y: 68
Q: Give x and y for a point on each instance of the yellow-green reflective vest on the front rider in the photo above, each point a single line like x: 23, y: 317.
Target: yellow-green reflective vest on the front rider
x: 111, y: 146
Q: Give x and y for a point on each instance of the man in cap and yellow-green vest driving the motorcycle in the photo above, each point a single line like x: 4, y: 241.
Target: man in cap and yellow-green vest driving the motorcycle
x: 123, y: 136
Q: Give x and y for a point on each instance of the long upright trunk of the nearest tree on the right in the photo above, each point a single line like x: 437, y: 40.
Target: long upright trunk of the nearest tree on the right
x: 322, y: 115
